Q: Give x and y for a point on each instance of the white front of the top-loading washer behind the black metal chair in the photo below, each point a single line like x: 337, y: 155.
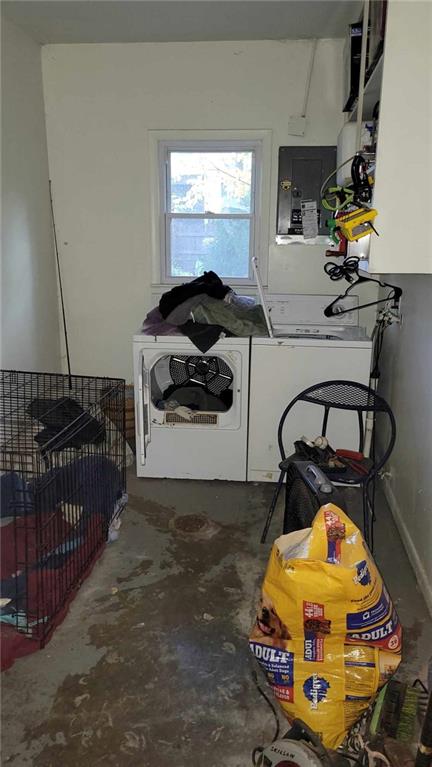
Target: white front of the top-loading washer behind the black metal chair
x: 279, y: 372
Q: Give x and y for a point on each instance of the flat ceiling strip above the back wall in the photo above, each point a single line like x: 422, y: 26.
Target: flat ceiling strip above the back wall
x: 129, y: 21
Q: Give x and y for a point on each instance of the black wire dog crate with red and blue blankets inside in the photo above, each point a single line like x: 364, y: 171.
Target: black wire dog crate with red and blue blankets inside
x: 62, y: 483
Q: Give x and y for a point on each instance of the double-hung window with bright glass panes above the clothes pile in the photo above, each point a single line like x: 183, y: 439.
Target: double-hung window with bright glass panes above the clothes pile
x: 210, y: 199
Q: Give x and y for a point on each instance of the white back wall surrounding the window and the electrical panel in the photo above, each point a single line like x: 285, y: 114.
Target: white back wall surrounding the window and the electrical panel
x: 101, y: 101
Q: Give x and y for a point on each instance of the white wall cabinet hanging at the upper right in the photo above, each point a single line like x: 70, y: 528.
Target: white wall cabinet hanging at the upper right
x: 402, y: 192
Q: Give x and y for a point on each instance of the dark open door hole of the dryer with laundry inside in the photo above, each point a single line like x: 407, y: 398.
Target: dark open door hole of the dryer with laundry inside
x: 203, y: 383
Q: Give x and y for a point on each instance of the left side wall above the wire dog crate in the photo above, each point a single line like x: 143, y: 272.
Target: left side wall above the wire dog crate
x: 29, y: 311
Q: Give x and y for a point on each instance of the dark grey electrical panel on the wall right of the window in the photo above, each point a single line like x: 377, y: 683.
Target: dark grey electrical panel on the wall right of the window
x: 302, y: 172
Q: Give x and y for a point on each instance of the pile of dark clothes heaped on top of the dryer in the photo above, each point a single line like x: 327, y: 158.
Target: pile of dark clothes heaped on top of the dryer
x: 203, y: 310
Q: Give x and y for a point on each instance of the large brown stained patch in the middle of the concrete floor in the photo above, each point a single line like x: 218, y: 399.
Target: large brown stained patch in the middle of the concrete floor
x: 175, y: 674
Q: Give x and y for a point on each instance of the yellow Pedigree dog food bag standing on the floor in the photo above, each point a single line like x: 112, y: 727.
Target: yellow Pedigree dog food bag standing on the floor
x: 327, y: 634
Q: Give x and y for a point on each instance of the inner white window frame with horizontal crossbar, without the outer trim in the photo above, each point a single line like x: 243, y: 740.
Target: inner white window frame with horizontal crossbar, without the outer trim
x: 165, y: 147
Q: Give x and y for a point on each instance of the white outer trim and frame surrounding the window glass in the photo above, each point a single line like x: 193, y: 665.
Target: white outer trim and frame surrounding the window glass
x: 160, y: 143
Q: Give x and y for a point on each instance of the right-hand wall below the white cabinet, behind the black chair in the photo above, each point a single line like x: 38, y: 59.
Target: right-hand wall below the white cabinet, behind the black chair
x: 407, y: 385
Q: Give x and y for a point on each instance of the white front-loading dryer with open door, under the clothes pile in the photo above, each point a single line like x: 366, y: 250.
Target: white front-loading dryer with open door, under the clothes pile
x: 170, y: 370
